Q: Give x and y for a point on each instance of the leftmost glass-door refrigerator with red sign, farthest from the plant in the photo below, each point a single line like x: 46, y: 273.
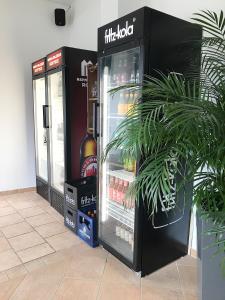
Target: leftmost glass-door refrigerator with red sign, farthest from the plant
x: 40, y: 127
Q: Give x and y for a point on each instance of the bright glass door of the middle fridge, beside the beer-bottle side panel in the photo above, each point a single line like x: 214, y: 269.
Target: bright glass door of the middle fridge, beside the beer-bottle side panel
x: 56, y: 131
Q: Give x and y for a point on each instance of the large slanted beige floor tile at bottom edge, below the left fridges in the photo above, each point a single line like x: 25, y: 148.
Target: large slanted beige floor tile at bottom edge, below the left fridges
x: 41, y: 284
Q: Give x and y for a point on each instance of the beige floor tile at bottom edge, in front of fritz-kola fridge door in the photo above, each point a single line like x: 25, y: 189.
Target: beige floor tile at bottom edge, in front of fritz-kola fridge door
x: 118, y: 291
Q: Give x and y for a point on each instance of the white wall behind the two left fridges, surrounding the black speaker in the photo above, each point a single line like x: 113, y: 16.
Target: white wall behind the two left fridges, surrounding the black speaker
x: 27, y: 32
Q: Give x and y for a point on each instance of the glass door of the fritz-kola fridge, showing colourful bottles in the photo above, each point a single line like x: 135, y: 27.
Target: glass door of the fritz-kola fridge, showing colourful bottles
x: 117, y: 212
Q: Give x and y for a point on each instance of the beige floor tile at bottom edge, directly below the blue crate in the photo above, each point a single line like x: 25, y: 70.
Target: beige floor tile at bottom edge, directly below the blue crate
x: 77, y: 289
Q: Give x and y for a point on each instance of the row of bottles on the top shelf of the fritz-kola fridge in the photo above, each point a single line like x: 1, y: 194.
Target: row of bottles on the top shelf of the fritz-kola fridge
x: 126, y: 72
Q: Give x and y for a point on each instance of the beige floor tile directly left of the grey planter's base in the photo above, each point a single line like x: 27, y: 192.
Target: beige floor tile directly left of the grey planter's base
x: 189, y: 280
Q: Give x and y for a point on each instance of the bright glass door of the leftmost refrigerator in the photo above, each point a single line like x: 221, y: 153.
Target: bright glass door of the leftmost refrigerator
x: 40, y: 132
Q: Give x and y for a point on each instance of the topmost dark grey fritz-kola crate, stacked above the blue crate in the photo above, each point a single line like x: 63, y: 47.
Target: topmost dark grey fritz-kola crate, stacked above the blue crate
x: 81, y: 193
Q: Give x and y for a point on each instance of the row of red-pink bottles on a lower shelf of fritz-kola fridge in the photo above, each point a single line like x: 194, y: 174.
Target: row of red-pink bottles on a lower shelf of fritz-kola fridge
x: 117, y: 191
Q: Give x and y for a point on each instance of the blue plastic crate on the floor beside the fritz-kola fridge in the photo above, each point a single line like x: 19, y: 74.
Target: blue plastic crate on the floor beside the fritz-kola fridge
x: 87, y: 229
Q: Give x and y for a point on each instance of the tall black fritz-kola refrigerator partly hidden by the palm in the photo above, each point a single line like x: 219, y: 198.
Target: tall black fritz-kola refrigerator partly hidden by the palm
x: 140, y: 43
